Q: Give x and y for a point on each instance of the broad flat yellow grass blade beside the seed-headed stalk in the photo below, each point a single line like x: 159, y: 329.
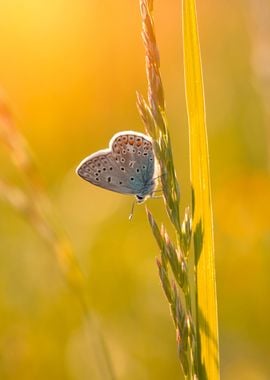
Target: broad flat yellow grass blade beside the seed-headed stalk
x: 206, y: 304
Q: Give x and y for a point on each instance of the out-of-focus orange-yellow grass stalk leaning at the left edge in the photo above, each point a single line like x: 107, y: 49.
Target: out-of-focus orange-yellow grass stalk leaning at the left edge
x: 32, y: 201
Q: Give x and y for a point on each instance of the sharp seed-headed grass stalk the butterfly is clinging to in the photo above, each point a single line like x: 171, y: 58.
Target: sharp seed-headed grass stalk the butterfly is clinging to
x: 173, y: 264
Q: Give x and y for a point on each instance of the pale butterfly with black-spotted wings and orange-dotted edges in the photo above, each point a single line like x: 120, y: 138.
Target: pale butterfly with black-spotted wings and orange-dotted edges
x: 128, y: 166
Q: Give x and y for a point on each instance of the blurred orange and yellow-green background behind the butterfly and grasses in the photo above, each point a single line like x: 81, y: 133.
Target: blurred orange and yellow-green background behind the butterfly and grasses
x: 70, y: 71
